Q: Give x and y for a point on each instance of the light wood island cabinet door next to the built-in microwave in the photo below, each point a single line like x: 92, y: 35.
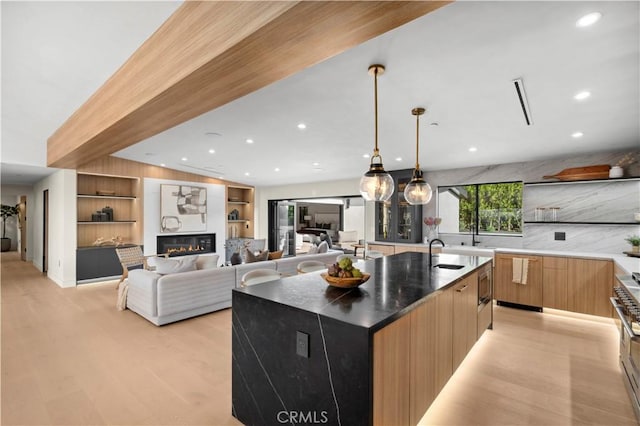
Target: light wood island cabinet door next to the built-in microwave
x: 465, y: 317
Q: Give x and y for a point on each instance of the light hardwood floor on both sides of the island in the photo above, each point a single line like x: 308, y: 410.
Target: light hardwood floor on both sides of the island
x: 70, y: 358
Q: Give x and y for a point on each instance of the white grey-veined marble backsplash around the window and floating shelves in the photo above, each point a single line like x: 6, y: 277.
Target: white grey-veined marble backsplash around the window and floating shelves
x: 591, y: 202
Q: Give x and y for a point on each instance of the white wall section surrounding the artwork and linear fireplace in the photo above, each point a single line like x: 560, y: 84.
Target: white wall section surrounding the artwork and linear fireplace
x: 216, y: 215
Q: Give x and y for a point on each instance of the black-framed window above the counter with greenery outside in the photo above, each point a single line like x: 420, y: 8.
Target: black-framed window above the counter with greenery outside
x: 488, y: 208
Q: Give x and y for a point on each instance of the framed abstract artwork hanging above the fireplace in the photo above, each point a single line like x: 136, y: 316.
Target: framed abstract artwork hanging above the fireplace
x: 183, y: 208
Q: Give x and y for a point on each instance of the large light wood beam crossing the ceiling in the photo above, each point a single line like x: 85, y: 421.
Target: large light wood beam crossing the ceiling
x: 210, y: 53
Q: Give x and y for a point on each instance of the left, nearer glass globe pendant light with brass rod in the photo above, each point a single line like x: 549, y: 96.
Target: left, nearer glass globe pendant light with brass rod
x: 376, y: 184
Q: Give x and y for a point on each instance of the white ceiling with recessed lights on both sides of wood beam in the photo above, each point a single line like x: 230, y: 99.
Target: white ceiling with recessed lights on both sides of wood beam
x: 458, y: 62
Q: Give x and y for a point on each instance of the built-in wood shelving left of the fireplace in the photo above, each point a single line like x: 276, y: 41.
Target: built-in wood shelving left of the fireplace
x: 96, y: 191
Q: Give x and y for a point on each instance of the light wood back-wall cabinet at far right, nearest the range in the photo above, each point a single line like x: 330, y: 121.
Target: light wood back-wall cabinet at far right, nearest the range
x: 590, y: 284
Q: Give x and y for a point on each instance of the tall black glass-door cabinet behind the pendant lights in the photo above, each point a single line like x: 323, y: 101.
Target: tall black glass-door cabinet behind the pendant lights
x: 396, y: 219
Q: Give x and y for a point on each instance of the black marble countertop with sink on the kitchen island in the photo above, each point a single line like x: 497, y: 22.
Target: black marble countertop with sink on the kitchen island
x: 397, y: 284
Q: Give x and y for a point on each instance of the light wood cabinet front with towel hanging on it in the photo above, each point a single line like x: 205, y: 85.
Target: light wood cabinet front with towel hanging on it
x: 505, y: 290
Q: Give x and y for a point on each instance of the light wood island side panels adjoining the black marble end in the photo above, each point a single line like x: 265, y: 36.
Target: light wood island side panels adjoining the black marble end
x: 413, y: 360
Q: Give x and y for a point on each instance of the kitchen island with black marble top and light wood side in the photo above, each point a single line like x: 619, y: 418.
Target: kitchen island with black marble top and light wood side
x: 305, y: 352
